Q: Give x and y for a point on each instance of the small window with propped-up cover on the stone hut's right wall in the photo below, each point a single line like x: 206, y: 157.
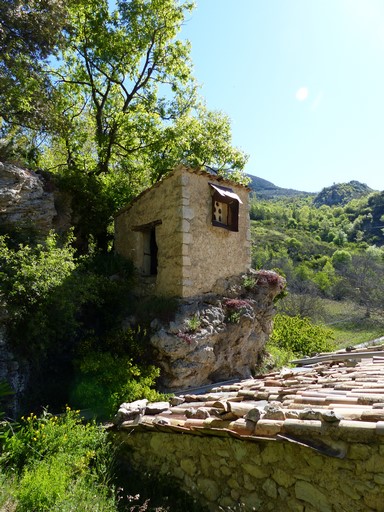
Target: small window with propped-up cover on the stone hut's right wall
x: 225, y: 207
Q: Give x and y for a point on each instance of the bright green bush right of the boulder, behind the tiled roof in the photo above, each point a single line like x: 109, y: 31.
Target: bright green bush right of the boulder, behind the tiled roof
x: 300, y: 335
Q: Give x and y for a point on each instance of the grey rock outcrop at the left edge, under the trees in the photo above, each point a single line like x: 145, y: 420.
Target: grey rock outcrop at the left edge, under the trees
x: 25, y: 202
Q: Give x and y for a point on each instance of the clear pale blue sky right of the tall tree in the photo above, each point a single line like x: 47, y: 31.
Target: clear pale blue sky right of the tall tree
x: 302, y: 82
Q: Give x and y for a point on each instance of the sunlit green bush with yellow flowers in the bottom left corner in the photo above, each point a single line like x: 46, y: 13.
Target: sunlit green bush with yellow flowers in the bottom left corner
x: 53, y: 463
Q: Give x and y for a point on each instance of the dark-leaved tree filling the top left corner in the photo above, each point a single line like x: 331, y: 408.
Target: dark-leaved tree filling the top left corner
x: 30, y: 32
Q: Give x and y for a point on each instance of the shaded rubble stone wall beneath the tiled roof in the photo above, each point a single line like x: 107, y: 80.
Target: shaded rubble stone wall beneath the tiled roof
x: 233, y: 475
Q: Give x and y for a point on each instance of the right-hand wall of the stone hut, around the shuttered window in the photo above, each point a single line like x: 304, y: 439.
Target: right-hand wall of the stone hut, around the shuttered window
x: 213, y: 252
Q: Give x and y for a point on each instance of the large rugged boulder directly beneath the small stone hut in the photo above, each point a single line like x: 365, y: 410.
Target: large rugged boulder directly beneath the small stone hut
x: 217, y: 336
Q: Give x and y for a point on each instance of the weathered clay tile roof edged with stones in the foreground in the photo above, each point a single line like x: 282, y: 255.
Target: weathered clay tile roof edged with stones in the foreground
x: 339, y: 398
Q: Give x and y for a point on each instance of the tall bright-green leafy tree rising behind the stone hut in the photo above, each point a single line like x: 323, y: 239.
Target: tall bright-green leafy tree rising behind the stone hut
x: 129, y: 108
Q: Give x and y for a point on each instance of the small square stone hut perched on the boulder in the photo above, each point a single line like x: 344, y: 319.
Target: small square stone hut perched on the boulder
x: 186, y: 232
